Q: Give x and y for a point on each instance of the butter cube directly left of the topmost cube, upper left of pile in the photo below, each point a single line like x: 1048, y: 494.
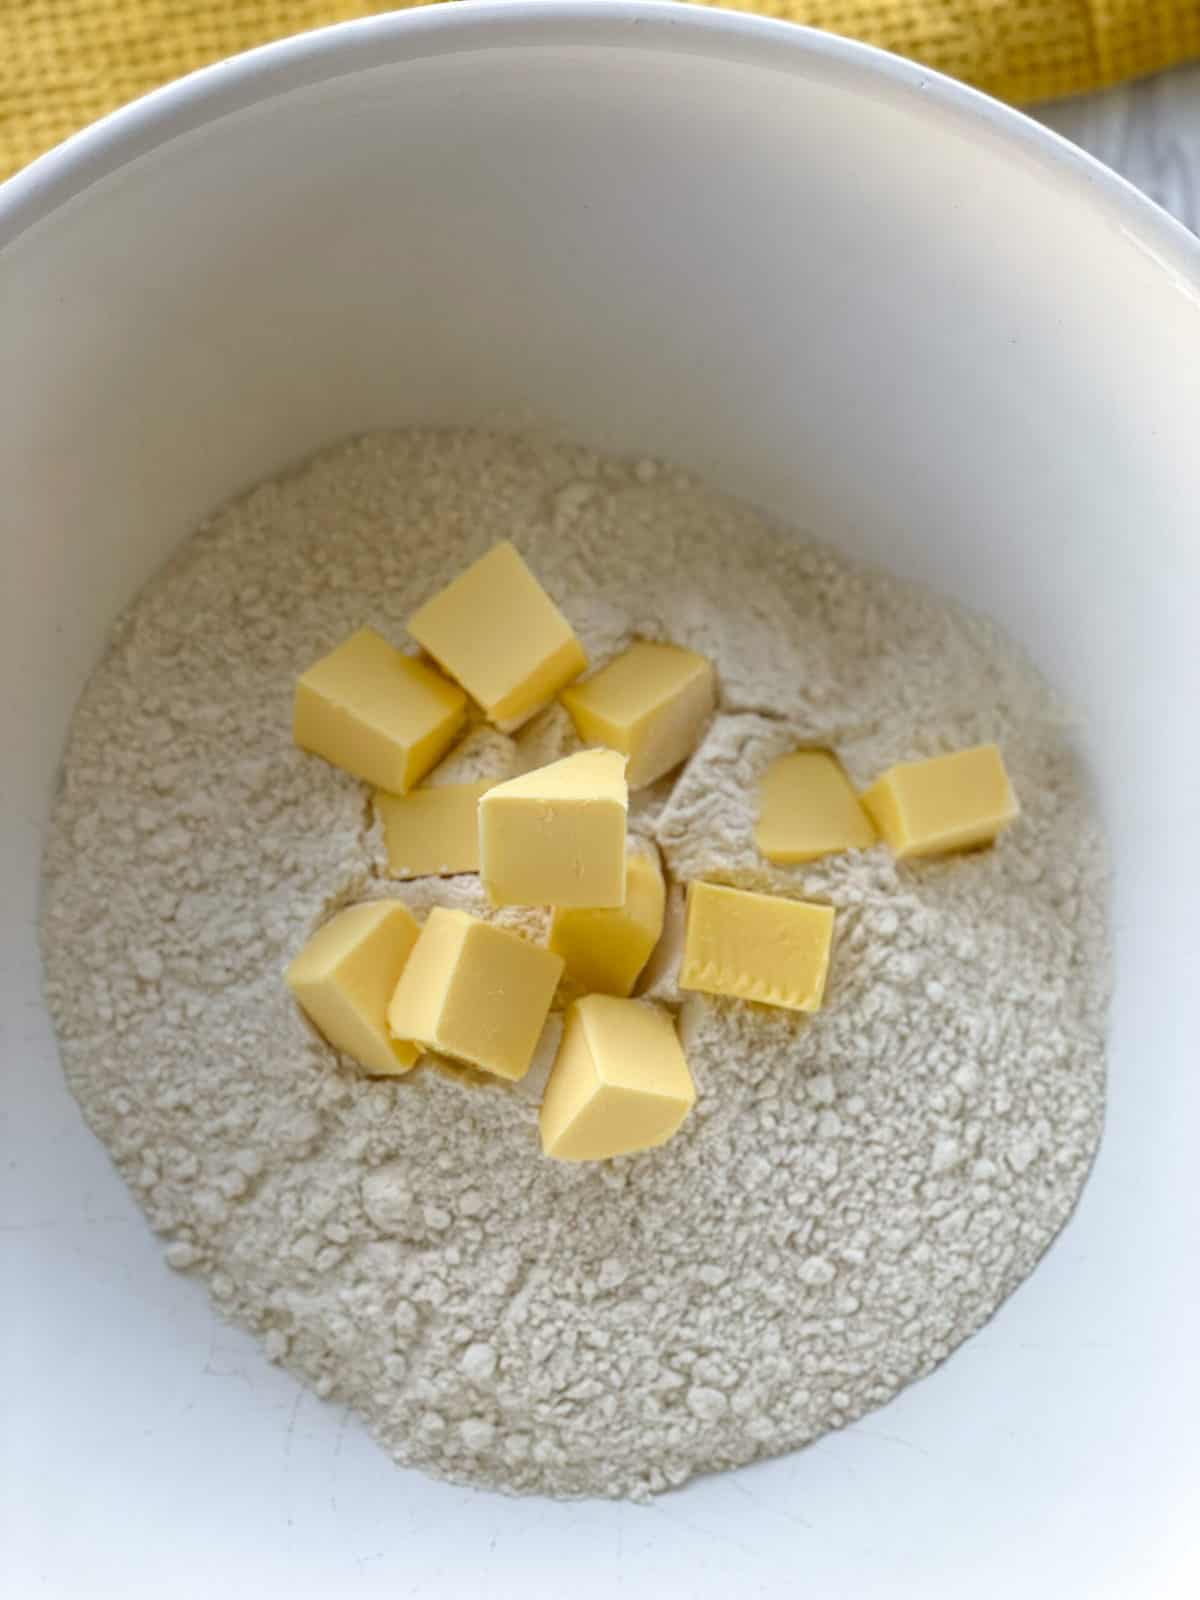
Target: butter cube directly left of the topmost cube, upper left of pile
x: 377, y: 713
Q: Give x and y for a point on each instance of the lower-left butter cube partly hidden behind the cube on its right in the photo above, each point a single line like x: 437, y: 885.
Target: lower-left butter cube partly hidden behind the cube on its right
x: 346, y: 975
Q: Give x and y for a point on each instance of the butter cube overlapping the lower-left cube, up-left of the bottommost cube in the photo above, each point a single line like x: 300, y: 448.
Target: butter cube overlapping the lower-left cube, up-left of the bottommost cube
x: 476, y: 993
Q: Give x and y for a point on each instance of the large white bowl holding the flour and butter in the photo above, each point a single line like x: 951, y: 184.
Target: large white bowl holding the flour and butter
x: 828, y: 281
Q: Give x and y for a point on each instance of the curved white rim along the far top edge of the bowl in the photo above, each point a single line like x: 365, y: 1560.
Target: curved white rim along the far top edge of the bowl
x: 738, y: 38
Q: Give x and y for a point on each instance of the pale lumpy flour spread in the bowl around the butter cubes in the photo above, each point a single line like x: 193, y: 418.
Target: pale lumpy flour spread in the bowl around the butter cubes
x: 854, y: 1194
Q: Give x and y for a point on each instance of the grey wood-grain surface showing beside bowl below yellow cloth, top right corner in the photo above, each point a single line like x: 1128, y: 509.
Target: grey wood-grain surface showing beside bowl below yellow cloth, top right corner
x: 1148, y: 132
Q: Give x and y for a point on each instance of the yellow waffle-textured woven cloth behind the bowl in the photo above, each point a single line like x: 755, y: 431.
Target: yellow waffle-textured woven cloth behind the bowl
x: 63, y: 63
